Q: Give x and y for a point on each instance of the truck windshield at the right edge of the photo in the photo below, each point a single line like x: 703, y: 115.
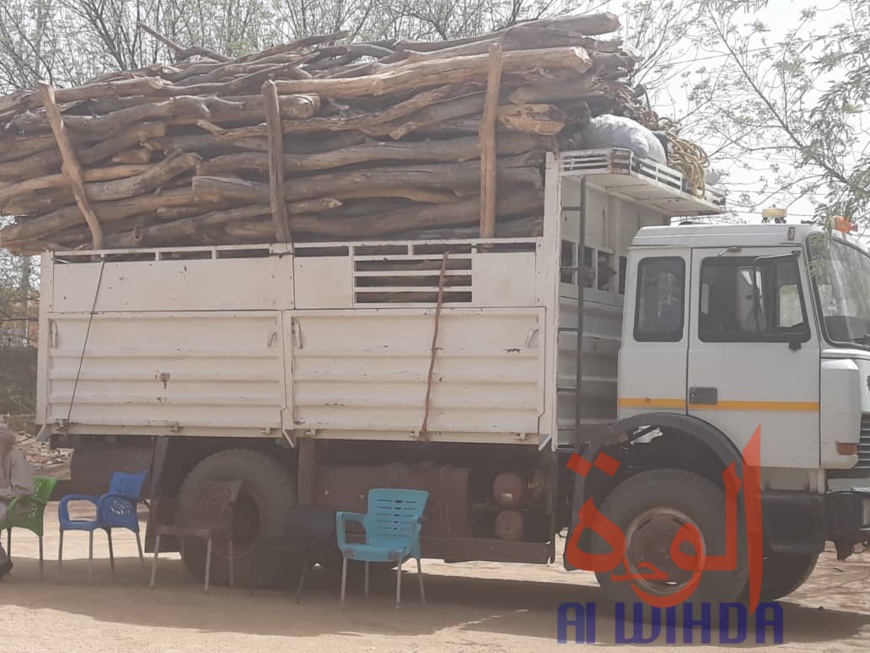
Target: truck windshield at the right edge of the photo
x: 841, y: 275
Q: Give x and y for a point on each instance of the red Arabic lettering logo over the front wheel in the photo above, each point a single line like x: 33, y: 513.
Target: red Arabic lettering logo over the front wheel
x: 697, y: 563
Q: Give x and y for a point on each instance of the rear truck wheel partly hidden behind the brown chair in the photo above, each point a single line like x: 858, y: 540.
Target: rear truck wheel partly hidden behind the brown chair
x: 267, y: 495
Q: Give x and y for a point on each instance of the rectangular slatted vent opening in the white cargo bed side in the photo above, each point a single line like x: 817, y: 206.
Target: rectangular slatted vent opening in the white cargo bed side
x: 411, y: 280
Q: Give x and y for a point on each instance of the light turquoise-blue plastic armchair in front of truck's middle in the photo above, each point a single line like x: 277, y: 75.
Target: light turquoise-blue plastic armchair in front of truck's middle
x: 392, y: 527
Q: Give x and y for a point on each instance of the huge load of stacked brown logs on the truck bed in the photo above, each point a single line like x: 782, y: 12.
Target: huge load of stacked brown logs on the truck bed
x: 322, y: 139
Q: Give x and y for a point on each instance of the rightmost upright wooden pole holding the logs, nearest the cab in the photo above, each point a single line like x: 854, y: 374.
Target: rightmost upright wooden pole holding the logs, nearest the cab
x: 488, y: 153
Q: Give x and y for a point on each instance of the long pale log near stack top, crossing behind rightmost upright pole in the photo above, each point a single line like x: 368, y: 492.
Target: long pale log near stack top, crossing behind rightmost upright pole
x: 437, y: 73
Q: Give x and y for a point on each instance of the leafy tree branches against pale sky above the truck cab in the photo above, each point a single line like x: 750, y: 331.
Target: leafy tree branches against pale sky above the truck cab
x: 788, y: 109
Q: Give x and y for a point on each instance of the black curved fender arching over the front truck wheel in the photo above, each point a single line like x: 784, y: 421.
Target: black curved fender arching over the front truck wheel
x: 633, y: 428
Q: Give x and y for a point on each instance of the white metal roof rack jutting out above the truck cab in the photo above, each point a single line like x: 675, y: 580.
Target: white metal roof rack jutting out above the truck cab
x: 620, y: 172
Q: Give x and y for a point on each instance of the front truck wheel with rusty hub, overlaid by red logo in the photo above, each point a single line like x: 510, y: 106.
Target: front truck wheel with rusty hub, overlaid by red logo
x: 650, y: 508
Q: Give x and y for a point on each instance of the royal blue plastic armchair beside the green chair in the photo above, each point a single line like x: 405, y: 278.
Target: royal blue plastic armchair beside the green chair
x: 114, y: 509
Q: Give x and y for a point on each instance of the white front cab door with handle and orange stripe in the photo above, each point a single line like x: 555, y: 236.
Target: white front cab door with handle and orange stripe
x: 753, y: 351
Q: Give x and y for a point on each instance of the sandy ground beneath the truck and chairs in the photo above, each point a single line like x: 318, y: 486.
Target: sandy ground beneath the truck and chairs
x: 470, y: 608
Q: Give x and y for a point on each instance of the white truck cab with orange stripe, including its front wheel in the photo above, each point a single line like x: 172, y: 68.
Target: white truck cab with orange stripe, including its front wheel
x: 730, y: 332
